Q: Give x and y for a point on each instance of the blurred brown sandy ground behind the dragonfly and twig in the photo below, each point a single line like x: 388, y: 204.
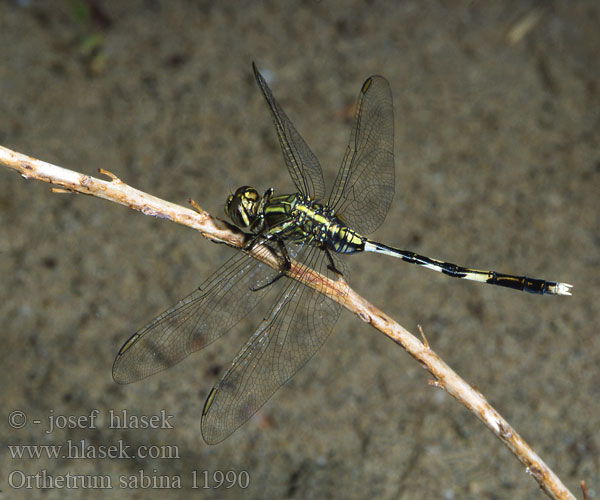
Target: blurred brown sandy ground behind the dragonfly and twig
x: 497, y: 113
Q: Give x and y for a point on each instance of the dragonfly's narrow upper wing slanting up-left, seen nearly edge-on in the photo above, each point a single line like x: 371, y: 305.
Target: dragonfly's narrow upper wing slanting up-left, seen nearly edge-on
x: 303, y: 166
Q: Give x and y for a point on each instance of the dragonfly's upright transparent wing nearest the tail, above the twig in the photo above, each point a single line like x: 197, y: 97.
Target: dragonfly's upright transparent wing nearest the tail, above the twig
x: 364, y: 187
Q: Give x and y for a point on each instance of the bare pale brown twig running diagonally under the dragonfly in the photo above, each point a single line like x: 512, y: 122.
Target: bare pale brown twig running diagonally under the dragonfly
x: 219, y: 231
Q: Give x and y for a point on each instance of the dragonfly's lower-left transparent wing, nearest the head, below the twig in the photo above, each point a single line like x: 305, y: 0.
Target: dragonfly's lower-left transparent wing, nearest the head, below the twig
x: 196, y: 321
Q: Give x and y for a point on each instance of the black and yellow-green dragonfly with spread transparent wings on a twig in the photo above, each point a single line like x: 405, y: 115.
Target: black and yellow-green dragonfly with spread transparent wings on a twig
x: 304, y: 227
